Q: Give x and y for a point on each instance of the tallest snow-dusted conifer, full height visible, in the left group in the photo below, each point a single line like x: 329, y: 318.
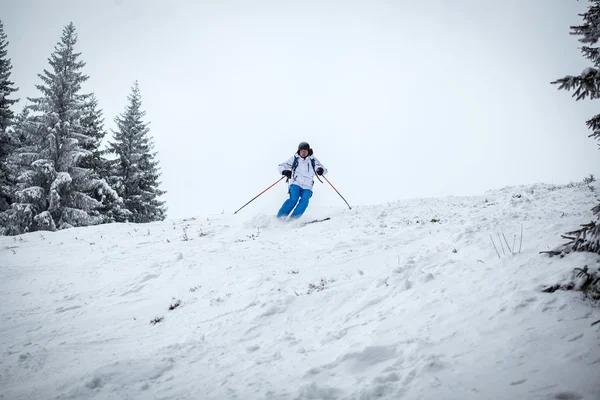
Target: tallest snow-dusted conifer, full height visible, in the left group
x: 53, y: 186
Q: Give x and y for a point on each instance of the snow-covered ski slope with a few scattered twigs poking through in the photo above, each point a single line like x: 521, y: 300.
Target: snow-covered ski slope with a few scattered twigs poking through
x: 378, y: 302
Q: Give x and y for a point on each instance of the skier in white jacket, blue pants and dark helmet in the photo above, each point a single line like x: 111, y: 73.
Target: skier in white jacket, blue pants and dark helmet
x: 301, y: 169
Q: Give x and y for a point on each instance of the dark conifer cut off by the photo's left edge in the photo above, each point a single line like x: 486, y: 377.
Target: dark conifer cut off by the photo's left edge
x: 7, y: 139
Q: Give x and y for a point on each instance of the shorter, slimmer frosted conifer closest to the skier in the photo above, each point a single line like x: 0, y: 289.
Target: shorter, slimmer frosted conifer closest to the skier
x: 136, y: 169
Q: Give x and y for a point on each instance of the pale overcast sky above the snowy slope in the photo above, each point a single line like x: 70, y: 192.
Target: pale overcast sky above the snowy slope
x: 399, y: 99
